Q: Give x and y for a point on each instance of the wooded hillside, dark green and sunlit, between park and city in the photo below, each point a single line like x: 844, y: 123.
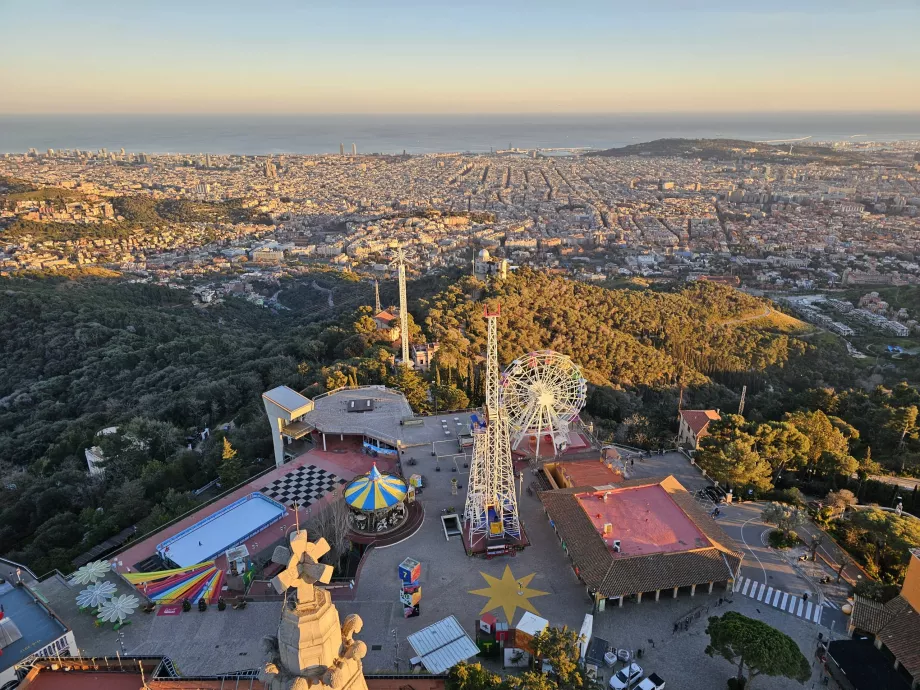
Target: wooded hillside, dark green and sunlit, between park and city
x: 81, y: 355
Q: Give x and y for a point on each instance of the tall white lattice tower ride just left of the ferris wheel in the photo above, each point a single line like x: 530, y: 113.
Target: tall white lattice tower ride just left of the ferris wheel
x: 491, y: 502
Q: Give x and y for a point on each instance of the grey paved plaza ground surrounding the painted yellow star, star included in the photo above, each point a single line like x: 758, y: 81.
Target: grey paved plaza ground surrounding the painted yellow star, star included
x: 449, y: 580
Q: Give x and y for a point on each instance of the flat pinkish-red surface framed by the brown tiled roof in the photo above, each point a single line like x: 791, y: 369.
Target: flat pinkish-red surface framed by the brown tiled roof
x: 644, y: 519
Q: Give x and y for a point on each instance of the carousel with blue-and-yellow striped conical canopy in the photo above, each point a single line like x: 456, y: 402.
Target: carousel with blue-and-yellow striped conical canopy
x: 377, y: 501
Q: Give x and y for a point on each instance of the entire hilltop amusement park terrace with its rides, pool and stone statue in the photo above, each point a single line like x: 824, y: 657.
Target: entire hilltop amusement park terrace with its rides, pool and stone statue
x: 454, y: 536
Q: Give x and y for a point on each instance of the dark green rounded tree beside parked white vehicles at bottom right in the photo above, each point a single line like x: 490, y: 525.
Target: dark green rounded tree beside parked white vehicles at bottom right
x: 754, y: 645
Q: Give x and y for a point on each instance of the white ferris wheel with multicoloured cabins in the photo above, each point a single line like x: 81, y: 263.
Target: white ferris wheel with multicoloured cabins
x: 542, y: 393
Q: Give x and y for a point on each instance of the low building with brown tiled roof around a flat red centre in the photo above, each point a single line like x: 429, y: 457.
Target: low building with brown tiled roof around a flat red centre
x: 640, y: 536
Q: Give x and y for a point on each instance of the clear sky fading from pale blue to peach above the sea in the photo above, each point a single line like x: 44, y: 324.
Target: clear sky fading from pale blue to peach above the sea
x: 301, y: 56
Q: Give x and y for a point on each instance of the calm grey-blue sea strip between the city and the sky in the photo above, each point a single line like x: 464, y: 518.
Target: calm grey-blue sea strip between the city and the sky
x: 419, y: 134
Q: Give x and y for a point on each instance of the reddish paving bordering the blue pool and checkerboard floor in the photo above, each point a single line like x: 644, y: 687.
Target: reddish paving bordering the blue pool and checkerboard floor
x: 346, y: 462
